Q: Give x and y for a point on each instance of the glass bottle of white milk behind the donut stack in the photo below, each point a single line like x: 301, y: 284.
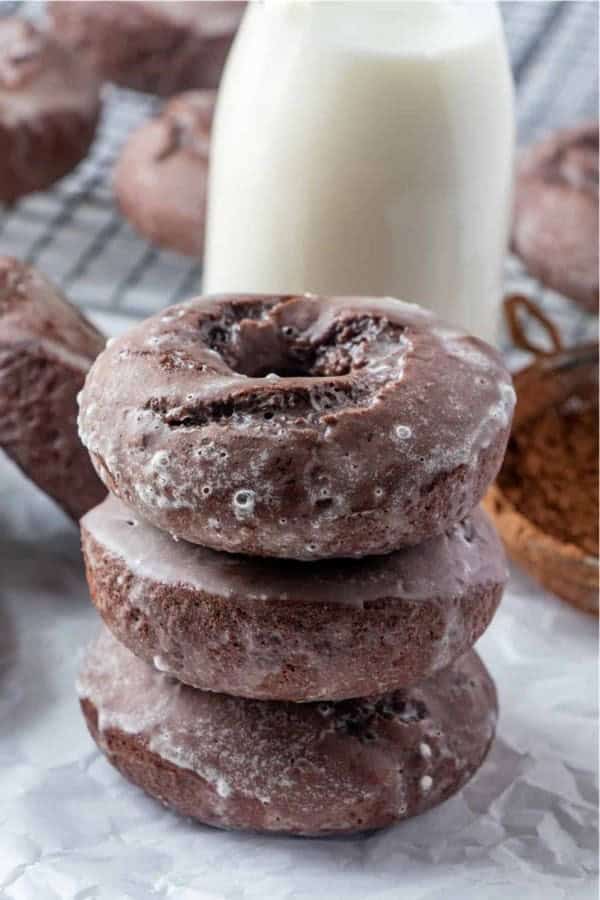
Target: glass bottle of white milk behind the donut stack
x: 365, y: 148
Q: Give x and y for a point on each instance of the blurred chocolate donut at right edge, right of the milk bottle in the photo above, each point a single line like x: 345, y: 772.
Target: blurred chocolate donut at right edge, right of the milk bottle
x: 555, y: 228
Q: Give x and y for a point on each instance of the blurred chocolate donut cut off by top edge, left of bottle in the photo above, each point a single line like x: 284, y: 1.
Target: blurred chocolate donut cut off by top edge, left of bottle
x: 160, y: 47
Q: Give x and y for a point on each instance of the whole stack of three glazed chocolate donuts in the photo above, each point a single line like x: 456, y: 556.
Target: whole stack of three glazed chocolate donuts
x: 291, y: 564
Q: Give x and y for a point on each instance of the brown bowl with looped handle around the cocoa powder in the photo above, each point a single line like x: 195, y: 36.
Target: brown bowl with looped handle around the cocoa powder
x: 562, y: 567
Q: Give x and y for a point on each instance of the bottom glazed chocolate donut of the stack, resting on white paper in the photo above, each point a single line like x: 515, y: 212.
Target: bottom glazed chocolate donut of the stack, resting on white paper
x: 301, y: 768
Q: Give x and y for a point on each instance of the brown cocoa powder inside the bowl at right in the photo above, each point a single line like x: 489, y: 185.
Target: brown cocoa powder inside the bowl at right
x: 550, y: 473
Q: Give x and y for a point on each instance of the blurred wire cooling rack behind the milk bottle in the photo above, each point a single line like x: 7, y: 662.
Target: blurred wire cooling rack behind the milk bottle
x: 75, y: 234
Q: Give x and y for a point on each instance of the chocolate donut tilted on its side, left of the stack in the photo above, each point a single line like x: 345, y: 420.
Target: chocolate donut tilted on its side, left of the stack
x: 46, y: 349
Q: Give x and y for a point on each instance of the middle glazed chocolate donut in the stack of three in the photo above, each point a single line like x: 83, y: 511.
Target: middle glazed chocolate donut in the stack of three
x: 302, y: 631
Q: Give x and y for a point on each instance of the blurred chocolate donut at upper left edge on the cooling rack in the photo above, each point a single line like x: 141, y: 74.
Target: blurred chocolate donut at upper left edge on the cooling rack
x: 49, y: 108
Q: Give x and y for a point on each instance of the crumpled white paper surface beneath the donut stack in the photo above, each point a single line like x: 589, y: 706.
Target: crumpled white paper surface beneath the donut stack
x: 72, y: 828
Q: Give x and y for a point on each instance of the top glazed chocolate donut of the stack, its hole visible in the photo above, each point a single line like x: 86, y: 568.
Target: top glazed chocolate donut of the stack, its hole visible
x: 298, y: 427
